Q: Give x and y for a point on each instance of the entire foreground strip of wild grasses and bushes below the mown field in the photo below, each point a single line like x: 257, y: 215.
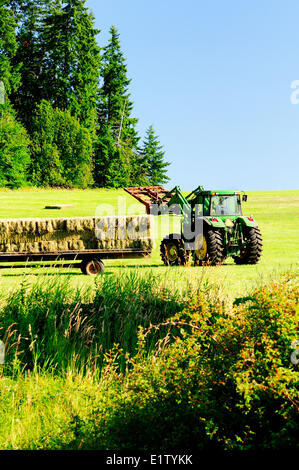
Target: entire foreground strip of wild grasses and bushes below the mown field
x: 190, y: 370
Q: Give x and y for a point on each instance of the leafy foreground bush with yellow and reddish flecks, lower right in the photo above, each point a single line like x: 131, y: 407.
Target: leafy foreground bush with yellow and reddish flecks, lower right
x: 225, y: 382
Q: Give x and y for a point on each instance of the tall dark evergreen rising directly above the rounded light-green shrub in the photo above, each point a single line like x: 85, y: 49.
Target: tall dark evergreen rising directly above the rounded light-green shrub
x: 72, y: 61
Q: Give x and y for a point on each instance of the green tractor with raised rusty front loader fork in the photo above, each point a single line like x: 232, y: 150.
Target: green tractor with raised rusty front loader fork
x: 212, y: 226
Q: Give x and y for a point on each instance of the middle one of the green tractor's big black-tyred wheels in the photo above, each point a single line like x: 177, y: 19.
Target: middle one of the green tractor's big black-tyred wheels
x: 211, y: 250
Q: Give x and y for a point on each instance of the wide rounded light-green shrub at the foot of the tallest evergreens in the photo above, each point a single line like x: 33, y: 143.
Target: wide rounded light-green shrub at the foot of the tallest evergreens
x: 62, y: 149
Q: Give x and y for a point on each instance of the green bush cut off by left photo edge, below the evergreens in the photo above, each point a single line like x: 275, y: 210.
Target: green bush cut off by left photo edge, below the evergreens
x: 14, y: 150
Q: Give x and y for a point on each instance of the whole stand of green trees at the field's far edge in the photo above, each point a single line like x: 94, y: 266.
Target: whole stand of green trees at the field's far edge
x: 67, y: 115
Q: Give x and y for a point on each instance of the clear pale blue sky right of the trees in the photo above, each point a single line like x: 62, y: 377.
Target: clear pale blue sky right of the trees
x: 214, y: 79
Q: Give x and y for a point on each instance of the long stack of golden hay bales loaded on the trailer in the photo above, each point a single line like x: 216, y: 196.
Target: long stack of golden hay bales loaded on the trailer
x: 78, y: 233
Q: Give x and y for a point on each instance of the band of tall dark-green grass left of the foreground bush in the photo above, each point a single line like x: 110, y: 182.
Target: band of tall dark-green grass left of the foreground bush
x: 52, y: 324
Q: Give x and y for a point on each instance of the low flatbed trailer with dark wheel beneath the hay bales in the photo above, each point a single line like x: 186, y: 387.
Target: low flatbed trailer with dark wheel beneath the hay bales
x: 91, y: 260
